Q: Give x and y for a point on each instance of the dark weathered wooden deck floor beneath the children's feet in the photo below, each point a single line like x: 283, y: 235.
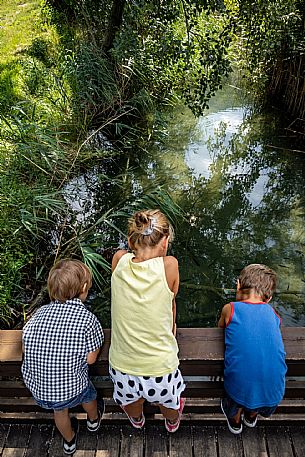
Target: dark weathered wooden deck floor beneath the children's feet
x: 113, y: 440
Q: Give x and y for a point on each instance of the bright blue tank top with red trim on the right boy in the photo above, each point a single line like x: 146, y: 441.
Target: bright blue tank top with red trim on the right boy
x: 255, y: 368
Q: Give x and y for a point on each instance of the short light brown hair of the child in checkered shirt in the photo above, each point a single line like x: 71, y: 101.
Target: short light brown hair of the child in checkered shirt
x: 67, y: 279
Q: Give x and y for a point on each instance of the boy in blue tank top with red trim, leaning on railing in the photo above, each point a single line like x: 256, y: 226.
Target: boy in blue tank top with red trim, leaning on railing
x: 255, y: 368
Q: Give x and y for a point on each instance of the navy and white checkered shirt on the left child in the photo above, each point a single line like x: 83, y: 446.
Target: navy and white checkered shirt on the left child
x: 57, y: 340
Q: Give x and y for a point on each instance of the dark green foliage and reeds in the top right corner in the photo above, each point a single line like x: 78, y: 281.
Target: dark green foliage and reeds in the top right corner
x: 272, y: 45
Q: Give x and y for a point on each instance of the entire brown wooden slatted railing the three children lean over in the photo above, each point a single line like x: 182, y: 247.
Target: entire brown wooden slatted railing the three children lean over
x: 201, y: 362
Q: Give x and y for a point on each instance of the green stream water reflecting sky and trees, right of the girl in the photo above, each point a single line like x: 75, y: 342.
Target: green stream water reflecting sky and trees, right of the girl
x: 243, y: 195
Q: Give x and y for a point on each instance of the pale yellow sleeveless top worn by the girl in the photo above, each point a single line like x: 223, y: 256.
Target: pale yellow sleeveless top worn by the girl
x: 142, y: 342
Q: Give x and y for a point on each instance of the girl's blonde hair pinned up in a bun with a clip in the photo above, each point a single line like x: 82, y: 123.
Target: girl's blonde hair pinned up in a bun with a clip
x: 146, y: 228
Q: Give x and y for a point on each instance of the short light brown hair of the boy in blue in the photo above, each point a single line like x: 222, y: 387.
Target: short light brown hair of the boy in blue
x: 260, y: 278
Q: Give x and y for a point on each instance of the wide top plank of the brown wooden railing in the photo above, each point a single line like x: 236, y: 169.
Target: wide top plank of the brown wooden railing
x: 201, y: 351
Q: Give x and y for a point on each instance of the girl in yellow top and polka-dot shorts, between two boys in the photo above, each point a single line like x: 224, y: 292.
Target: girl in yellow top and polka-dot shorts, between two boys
x: 143, y: 354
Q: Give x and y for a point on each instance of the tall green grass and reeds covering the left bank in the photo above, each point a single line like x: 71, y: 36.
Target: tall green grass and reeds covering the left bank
x: 58, y: 93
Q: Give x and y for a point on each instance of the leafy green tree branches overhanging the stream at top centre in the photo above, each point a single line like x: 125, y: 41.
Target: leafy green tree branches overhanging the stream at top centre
x: 165, y: 48
